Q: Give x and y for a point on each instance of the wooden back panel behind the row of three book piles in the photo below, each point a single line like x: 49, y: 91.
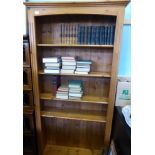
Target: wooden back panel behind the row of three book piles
x: 101, y: 58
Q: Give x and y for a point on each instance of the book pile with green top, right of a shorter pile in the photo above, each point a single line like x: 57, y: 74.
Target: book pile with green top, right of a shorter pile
x: 75, y: 89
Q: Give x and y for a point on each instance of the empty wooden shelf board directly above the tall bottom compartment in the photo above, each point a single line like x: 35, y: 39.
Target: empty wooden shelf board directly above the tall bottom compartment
x: 73, y: 115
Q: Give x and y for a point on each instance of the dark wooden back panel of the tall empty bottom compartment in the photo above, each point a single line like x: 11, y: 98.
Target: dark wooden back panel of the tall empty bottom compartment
x: 74, y: 133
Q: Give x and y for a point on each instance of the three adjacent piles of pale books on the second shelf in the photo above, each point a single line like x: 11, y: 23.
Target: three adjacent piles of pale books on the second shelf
x: 66, y: 65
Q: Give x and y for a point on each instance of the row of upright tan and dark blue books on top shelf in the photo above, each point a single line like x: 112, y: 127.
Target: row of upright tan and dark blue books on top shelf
x: 82, y: 34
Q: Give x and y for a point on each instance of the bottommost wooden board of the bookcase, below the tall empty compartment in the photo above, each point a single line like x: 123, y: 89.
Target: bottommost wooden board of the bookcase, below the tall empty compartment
x: 62, y: 150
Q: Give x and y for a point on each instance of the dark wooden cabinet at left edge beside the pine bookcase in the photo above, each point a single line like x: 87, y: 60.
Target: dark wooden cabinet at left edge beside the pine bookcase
x: 29, y: 134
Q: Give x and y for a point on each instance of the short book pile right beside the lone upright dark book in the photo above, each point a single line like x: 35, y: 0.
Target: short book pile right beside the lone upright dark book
x: 62, y: 92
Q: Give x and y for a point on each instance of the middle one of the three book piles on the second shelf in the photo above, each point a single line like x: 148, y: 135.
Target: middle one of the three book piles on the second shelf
x: 68, y: 65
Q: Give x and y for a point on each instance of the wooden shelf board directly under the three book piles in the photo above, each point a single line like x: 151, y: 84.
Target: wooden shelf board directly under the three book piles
x: 91, y: 74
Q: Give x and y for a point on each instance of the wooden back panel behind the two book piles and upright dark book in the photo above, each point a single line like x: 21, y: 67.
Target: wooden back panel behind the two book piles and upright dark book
x: 92, y: 86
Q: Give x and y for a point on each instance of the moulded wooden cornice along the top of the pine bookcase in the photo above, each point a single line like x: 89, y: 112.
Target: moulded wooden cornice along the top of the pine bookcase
x: 78, y: 3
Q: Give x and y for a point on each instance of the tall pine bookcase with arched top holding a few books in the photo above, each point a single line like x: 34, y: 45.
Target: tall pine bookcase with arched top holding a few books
x: 69, y: 127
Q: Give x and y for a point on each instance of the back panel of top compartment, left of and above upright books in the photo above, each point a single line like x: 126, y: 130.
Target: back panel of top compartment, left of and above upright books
x: 49, y: 27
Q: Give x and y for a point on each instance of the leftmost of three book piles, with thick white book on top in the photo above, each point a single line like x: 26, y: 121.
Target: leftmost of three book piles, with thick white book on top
x: 52, y: 65
